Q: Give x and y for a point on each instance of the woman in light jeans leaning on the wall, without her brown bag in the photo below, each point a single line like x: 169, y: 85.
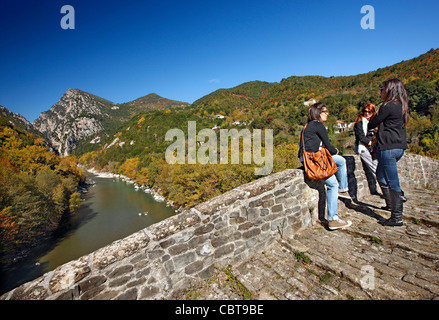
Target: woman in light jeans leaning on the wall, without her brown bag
x: 314, y: 137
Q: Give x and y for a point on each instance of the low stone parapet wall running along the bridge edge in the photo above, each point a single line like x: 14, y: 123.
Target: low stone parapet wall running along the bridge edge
x: 174, y: 254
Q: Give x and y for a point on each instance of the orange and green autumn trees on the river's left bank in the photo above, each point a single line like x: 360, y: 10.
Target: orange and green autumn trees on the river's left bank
x: 37, y: 187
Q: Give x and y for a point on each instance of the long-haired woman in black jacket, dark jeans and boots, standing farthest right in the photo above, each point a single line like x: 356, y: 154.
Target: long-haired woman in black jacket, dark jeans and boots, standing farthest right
x: 392, y: 119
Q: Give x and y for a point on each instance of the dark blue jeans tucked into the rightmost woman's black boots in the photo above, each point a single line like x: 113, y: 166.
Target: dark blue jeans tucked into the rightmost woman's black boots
x: 387, y: 170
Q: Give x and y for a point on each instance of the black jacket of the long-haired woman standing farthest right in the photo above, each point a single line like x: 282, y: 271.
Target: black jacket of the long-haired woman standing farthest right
x: 391, y: 134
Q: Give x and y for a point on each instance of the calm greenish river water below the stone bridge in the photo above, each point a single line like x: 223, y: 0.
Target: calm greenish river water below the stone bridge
x: 112, y: 209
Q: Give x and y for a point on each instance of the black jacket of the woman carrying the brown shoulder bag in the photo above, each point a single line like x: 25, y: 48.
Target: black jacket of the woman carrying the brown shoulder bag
x: 315, y: 132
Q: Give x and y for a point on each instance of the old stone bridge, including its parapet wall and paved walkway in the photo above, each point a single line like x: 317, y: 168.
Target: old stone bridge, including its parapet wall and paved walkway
x: 265, y: 240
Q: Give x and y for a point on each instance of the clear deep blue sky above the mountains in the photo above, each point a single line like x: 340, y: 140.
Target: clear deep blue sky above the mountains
x: 183, y: 50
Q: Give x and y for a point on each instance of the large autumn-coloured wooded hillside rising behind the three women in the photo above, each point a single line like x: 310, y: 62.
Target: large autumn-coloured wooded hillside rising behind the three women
x: 137, y: 149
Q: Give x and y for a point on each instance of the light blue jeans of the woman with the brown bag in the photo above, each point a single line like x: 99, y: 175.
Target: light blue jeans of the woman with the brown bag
x: 335, y: 183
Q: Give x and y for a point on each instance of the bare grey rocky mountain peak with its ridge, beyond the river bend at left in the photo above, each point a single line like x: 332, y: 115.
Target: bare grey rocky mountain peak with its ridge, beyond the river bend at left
x: 80, y: 118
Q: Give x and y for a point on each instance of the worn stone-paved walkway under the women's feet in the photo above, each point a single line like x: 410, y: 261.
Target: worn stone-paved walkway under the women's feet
x: 364, y: 262
